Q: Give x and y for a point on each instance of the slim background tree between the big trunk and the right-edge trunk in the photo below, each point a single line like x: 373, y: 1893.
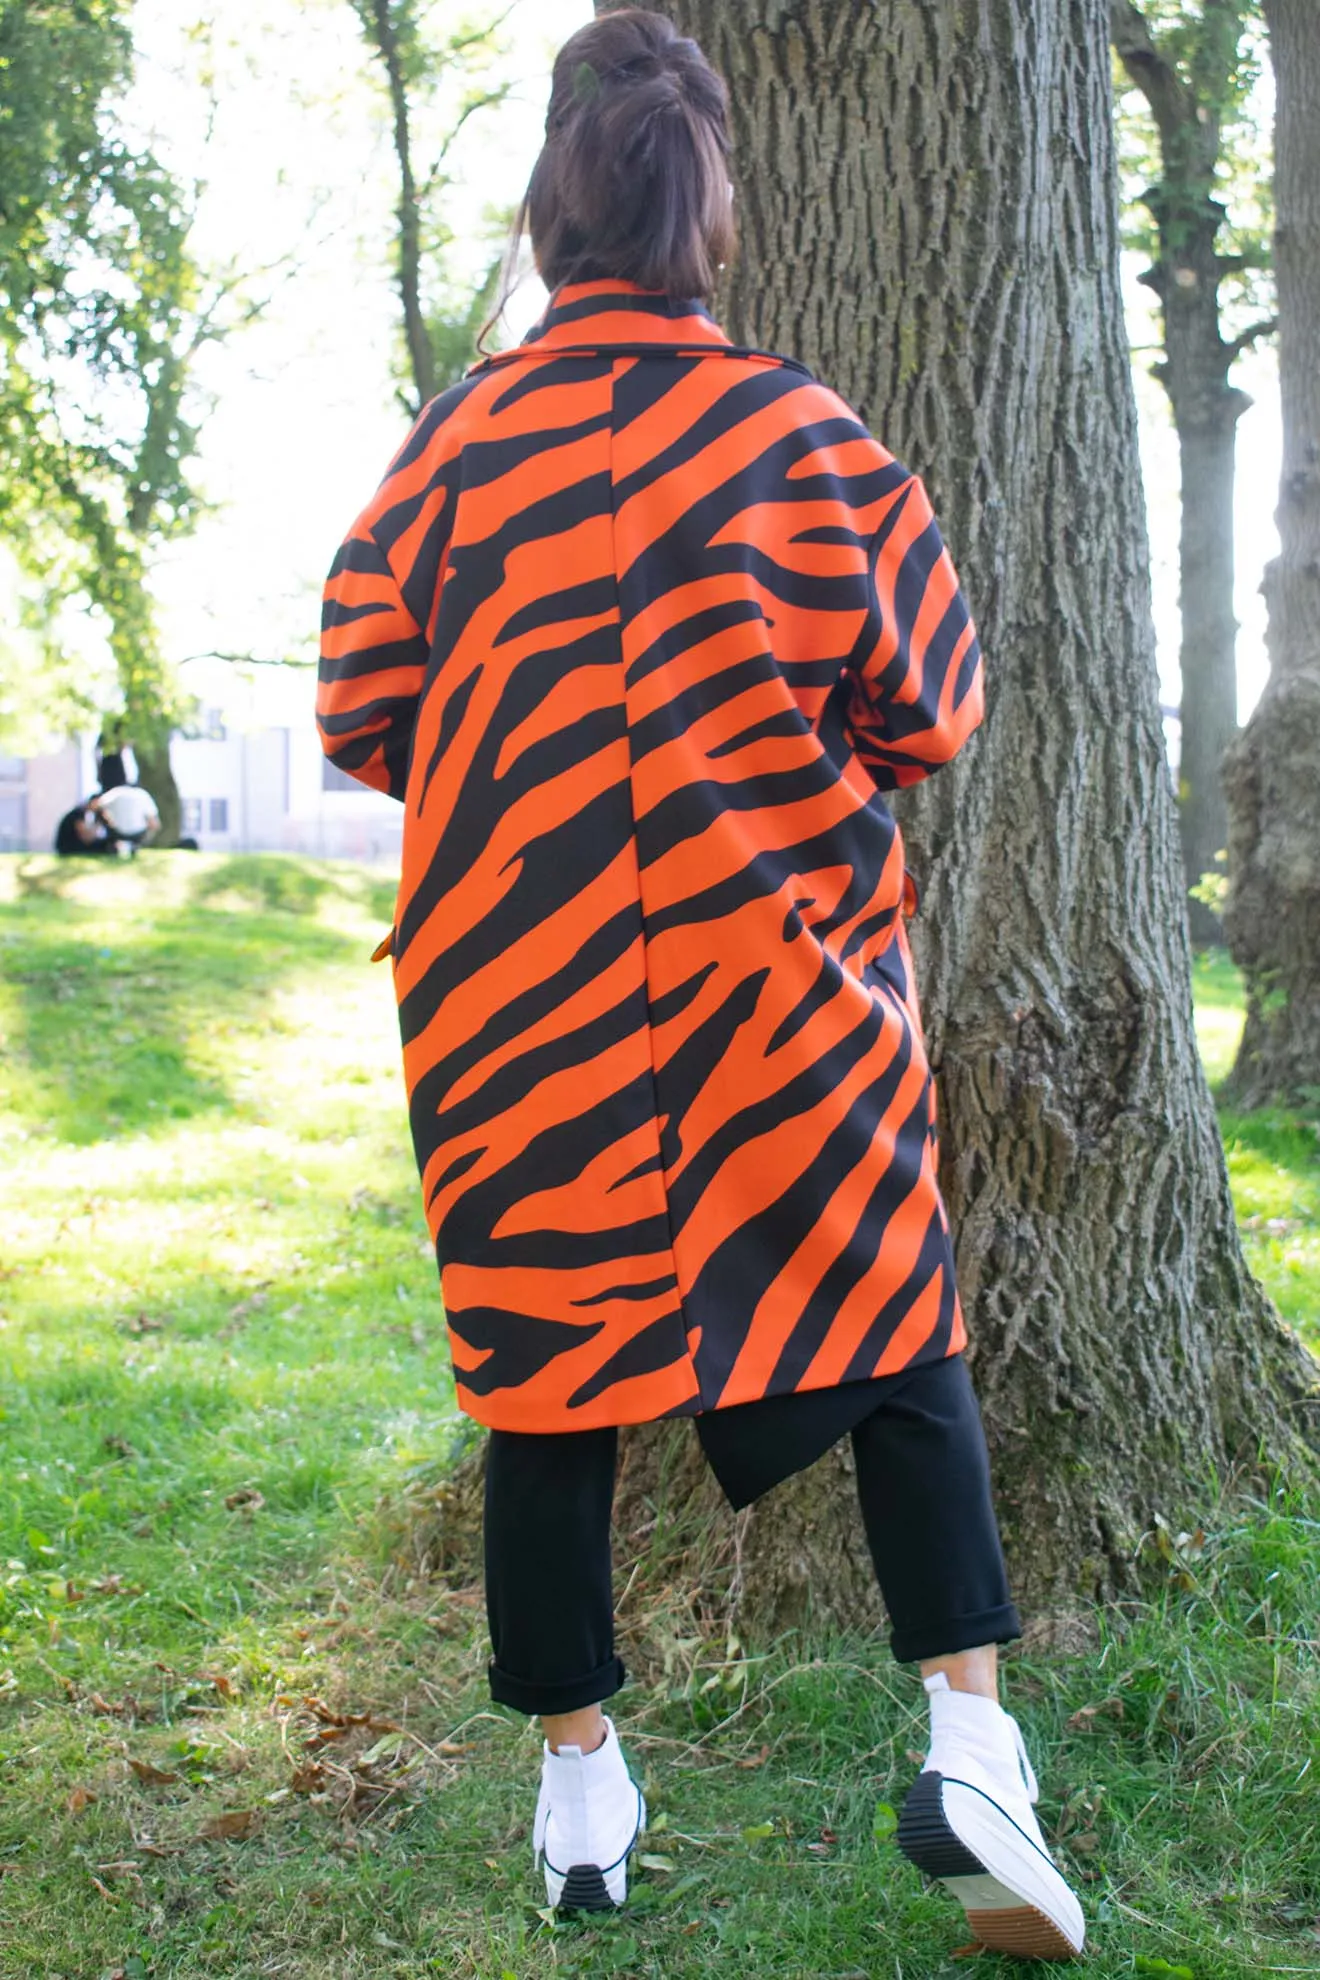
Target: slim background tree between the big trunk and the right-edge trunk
x: 1194, y: 68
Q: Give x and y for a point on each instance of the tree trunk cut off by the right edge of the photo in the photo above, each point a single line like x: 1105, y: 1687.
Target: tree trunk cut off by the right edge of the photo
x: 1273, y: 918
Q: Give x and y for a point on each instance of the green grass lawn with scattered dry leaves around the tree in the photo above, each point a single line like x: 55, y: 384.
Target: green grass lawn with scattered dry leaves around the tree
x: 240, y: 1735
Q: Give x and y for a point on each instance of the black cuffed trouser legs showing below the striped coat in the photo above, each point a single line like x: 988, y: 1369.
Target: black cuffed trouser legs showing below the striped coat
x: 923, y: 1482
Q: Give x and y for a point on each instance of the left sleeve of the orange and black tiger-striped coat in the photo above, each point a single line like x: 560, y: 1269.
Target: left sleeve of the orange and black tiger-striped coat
x: 379, y: 607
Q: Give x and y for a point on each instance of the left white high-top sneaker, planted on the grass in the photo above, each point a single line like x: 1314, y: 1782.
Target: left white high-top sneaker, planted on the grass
x: 589, y: 1821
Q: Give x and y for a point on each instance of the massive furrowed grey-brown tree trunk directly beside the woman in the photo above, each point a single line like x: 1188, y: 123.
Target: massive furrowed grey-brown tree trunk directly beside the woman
x: 929, y: 217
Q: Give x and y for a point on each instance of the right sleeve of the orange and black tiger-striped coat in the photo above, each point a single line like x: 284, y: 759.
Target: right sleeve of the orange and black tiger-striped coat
x: 917, y: 666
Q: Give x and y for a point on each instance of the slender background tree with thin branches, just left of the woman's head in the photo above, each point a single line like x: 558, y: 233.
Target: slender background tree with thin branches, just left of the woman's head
x: 440, y: 78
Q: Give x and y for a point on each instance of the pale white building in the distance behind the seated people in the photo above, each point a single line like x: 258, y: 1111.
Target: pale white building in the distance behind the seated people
x: 250, y: 775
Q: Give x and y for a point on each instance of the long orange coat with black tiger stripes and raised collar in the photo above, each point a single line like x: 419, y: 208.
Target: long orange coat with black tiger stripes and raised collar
x: 638, y: 629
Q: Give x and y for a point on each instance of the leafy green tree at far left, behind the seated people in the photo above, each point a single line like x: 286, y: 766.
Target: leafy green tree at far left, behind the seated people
x: 96, y: 296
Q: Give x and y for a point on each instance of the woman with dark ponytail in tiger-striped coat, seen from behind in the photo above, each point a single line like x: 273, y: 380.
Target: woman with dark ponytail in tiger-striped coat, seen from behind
x: 638, y: 629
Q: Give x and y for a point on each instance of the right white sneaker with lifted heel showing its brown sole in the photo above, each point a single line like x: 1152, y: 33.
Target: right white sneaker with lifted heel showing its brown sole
x: 969, y: 1821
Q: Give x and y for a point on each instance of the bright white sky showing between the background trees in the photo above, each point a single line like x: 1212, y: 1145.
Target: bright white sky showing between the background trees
x: 276, y: 110
